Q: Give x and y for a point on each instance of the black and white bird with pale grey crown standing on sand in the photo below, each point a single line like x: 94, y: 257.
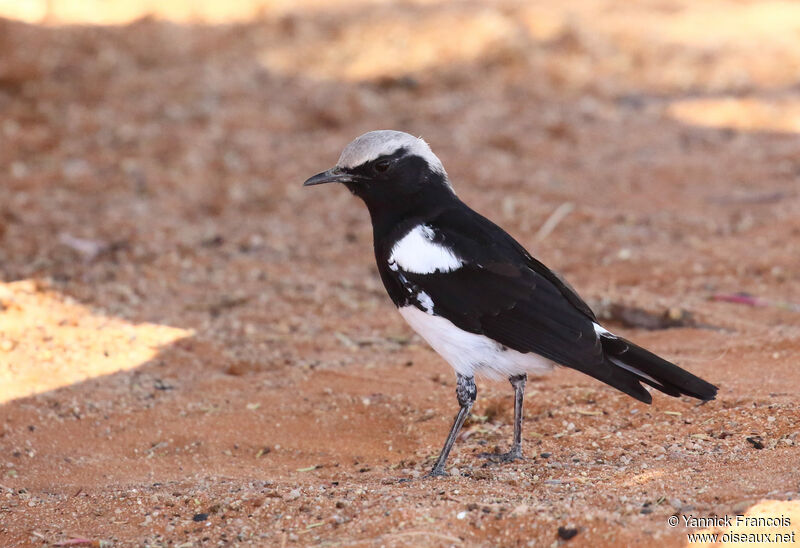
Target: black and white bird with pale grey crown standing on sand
x: 476, y: 295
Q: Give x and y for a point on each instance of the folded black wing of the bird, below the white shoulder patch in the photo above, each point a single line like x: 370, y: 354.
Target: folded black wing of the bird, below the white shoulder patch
x: 502, y: 292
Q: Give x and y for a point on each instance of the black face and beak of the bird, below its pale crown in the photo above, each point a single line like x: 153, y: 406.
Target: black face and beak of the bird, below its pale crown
x: 389, y: 181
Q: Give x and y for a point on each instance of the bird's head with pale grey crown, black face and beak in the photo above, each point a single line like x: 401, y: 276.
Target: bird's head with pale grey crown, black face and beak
x: 383, y: 167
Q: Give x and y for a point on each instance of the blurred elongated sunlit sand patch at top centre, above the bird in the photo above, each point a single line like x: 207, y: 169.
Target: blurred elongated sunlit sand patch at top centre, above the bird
x: 398, y: 45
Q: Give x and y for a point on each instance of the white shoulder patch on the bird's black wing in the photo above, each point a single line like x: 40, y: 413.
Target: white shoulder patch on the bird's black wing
x: 417, y: 252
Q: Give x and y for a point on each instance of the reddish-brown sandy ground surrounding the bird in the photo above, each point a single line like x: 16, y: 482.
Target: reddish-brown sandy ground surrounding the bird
x: 196, y: 351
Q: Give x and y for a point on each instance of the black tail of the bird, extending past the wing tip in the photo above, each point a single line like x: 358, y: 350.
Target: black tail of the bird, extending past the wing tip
x: 630, y: 364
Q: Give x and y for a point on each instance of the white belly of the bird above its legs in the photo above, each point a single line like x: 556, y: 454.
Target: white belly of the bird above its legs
x: 471, y: 354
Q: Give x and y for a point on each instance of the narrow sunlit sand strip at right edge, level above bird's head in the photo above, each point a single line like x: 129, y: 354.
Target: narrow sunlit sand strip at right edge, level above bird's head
x: 750, y: 114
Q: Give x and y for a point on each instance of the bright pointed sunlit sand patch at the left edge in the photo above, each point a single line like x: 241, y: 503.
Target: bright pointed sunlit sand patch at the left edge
x: 48, y: 340
